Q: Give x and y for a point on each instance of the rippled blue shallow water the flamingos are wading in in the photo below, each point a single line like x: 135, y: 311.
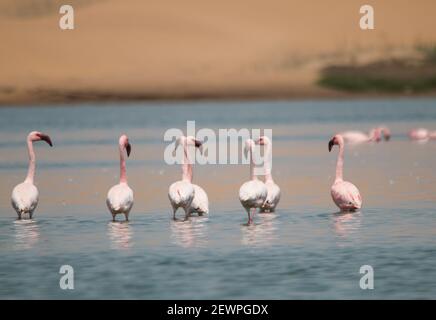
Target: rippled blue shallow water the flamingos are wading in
x: 304, y: 251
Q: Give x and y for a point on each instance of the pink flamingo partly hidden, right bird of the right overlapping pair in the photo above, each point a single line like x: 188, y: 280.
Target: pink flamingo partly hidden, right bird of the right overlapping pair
x: 273, y: 196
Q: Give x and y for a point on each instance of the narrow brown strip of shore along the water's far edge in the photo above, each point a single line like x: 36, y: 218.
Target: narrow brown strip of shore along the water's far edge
x: 76, y: 97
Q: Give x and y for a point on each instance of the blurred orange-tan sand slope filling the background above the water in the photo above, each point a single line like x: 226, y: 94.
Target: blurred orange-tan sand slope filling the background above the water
x: 194, y: 49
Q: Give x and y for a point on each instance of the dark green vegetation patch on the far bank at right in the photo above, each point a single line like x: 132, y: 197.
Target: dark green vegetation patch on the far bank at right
x: 392, y: 76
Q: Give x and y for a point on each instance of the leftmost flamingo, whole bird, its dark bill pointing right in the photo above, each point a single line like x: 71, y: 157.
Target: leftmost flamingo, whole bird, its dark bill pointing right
x: 25, y: 195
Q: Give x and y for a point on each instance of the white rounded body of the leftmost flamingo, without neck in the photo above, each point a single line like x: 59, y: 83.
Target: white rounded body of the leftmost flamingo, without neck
x: 25, y: 199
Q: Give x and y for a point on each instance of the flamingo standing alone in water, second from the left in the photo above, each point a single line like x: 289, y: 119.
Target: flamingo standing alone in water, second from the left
x: 120, y: 197
